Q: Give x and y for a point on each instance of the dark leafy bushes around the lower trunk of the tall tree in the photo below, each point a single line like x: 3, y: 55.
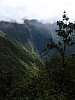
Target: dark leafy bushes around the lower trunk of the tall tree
x: 51, y: 79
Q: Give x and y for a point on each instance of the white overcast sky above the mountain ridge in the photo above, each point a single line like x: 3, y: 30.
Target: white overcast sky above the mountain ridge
x: 48, y: 10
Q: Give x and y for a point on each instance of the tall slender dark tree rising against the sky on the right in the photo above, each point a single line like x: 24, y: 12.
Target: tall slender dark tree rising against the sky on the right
x: 65, y: 33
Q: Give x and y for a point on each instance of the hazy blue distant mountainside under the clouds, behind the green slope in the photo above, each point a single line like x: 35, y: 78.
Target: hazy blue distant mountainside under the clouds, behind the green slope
x: 32, y: 34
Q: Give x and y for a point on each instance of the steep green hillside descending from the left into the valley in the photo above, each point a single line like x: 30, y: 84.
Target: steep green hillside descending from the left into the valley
x: 18, y: 69
